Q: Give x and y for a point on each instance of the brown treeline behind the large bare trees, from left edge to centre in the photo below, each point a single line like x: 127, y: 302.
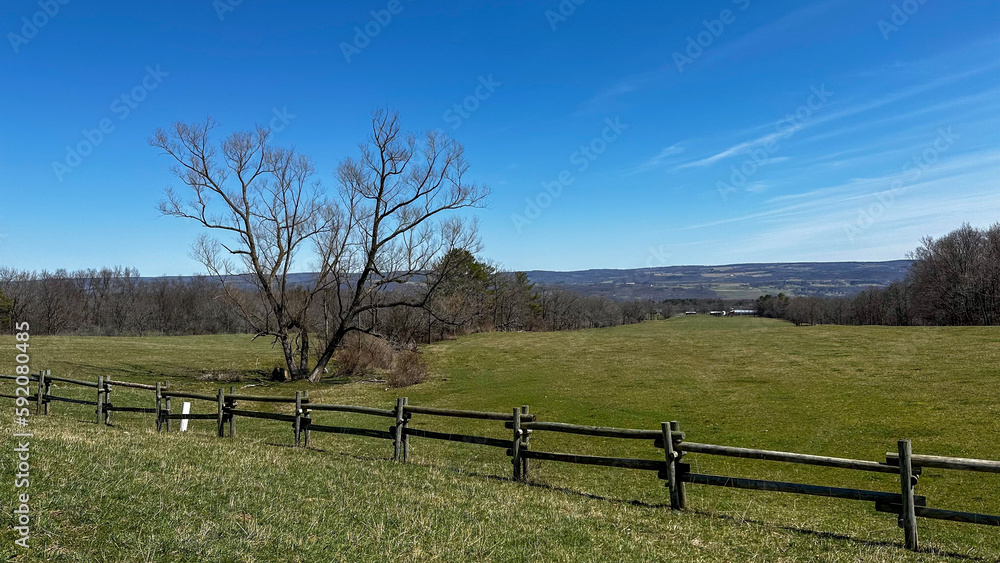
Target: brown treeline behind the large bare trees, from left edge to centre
x: 473, y: 297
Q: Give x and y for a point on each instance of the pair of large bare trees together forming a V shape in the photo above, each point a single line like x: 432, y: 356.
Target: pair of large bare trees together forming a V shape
x: 386, y: 227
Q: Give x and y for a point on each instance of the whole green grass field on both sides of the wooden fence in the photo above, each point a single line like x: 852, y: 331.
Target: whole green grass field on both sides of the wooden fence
x: 125, y: 493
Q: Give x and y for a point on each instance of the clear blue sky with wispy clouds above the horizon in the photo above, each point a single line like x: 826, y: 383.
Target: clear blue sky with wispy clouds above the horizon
x: 614, y: 135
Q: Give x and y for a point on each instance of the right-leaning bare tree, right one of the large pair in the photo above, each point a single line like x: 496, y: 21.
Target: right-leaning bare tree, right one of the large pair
x: 395, y: 221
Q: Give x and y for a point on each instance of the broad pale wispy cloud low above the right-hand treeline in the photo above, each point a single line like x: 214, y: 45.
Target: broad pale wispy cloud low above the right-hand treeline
x: 814, y: 225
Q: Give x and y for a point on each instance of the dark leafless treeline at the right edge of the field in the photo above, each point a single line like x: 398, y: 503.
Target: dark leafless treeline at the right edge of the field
x: 954, y: 280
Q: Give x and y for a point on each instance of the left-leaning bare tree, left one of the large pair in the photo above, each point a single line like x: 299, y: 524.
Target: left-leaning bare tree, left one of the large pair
x: 263, y: 203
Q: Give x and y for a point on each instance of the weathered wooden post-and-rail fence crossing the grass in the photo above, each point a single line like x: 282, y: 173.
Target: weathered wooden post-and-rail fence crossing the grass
x: 520, y: 424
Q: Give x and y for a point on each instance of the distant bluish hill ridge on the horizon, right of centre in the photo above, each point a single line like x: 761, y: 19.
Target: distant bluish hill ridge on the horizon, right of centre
x: 733, y: 281
